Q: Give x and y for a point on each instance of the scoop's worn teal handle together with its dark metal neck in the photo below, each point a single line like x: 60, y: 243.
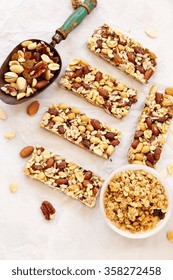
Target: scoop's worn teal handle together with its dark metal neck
x: 82, y: 10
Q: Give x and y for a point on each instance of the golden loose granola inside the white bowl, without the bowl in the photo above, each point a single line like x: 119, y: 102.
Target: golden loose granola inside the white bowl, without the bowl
x: 135, y: 201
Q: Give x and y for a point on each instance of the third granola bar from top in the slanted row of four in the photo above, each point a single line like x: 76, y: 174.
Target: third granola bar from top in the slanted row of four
x: 83, y: 131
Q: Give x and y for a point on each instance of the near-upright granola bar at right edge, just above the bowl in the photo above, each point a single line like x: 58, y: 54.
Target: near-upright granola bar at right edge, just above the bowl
x: 152, y: 128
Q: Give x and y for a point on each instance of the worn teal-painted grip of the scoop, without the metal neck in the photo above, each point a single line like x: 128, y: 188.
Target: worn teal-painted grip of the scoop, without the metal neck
x: 76, y: 18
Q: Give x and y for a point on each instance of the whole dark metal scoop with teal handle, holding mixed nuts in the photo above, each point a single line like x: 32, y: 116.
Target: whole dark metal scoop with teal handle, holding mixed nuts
x: 9, y: 94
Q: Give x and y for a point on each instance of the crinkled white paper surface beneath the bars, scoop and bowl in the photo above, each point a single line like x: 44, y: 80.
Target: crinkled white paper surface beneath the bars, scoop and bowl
x: 77, y: 232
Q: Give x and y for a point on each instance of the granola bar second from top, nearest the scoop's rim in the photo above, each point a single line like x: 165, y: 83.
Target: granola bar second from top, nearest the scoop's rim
x: 98, y: 88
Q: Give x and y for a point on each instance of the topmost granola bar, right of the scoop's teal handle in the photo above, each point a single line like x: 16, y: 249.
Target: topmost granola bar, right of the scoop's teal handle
x: 125, y: 53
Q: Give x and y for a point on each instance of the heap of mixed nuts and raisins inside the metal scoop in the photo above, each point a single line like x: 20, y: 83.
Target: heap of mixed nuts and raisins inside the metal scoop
x: 30, y: 69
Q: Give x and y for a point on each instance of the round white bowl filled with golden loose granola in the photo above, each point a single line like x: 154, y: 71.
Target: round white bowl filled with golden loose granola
x: 135, y: 201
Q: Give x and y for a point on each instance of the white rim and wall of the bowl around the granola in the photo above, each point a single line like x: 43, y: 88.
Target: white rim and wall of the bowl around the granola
x: 159, y: 225
